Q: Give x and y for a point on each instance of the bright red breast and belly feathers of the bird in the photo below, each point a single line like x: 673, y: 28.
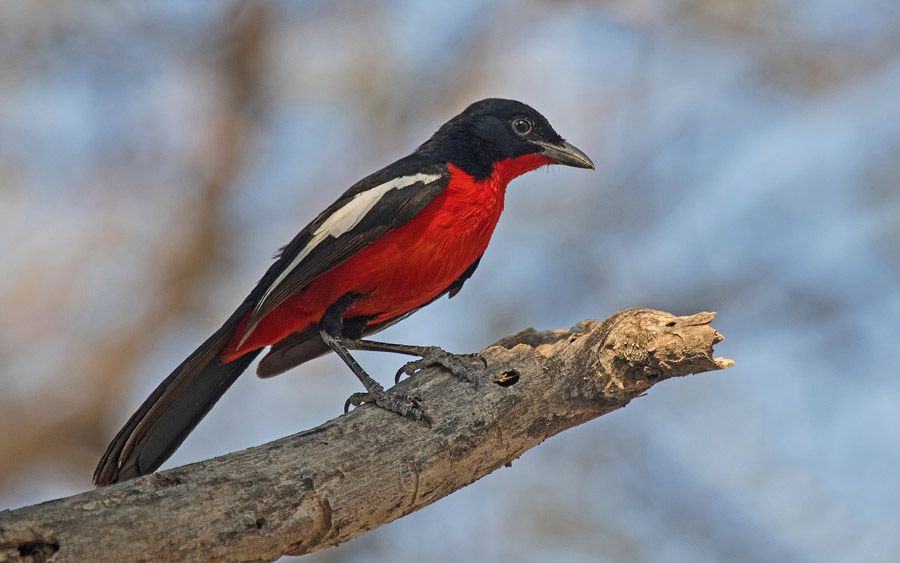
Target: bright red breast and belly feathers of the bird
x: 400, y: 272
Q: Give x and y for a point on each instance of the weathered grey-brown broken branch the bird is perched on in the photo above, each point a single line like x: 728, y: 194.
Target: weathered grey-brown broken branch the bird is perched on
x: 327, y: 485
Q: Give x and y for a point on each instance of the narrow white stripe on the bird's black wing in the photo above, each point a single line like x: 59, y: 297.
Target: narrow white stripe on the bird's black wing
x: 345, y: 218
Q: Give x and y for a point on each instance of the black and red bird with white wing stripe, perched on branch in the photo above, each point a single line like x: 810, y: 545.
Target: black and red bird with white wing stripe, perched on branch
x: 394, y: 242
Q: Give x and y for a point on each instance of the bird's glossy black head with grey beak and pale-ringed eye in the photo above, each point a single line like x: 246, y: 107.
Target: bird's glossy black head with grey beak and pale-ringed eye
x: 495, y: 130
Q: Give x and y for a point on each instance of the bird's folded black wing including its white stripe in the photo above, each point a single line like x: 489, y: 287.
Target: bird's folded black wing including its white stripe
x: 387, y: 199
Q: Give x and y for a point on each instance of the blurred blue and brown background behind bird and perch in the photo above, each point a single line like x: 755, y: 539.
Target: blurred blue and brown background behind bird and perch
x: 154, y: 155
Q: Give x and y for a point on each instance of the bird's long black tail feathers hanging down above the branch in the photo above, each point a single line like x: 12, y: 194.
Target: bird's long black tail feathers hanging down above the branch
x: 172, y: 411
